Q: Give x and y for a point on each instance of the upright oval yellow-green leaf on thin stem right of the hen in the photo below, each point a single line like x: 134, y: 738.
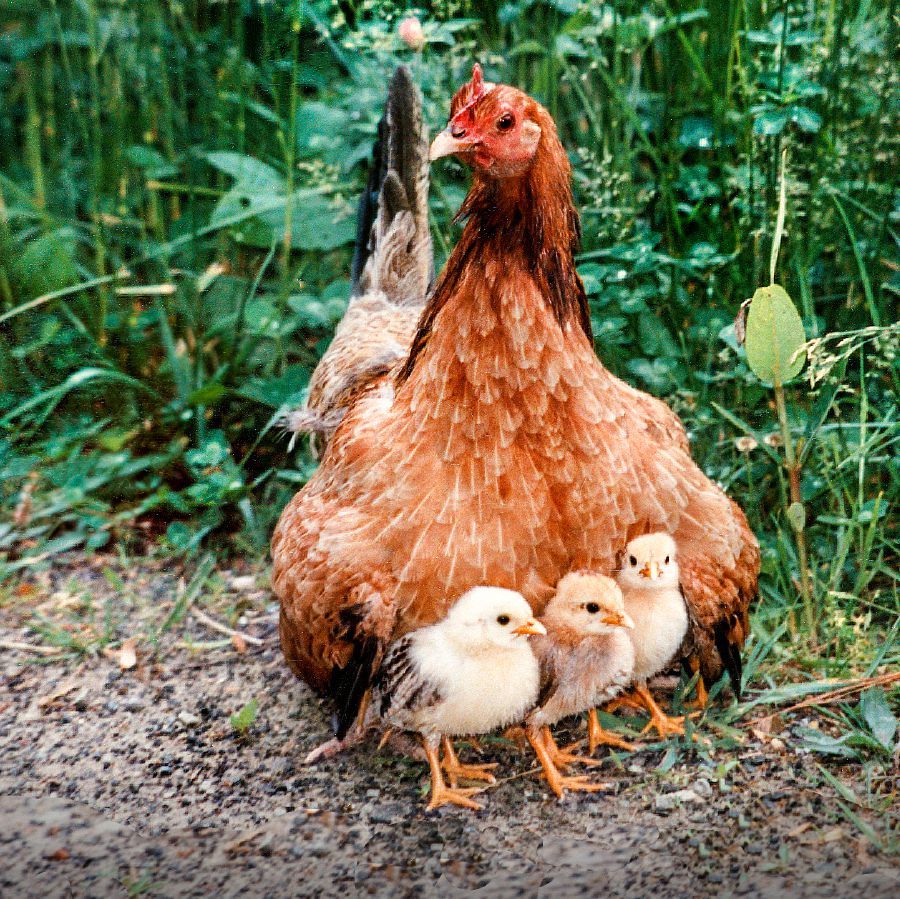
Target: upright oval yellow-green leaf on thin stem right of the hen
x: 775, y: 336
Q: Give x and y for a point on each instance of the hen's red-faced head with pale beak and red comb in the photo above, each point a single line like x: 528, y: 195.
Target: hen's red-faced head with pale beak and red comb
x: 493, y: 127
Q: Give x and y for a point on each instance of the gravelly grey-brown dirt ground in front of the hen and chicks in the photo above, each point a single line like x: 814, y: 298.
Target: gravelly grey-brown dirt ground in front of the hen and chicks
x: 123, y: 780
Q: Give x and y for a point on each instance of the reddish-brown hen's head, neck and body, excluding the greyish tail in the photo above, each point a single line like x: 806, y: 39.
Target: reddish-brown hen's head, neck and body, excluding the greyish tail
x: 502, y: 451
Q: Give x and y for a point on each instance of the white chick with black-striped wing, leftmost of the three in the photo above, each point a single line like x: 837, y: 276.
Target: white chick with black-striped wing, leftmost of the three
x: 470, y: 673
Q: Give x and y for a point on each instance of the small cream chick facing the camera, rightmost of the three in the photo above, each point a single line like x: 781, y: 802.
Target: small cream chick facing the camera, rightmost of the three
x: 649, y: 580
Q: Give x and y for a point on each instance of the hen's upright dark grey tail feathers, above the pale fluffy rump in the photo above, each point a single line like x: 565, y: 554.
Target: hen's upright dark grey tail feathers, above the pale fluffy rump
x: 393, y: 252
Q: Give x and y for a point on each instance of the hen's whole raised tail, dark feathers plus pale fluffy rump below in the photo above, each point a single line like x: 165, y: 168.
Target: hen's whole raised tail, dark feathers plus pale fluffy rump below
x: 392, y: 267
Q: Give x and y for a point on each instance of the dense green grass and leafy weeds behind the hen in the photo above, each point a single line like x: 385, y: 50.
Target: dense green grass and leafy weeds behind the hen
x: 178, y: 181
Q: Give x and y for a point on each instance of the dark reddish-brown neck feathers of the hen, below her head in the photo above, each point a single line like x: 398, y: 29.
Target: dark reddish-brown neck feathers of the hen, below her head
x: 530, y: 224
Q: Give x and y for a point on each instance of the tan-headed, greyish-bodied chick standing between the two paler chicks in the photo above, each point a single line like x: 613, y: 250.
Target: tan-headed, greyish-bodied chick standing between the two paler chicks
x: 586, y: 658
